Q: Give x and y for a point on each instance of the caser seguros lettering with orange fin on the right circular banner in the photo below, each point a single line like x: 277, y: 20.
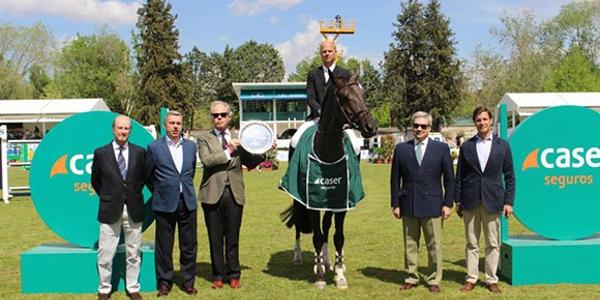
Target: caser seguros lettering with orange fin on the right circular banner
x: 564, y: 158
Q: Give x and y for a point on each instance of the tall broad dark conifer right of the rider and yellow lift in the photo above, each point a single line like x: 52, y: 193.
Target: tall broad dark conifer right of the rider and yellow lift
x: 421, y: 72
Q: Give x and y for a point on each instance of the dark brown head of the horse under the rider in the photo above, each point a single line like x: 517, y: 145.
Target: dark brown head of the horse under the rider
x: 351, y: 99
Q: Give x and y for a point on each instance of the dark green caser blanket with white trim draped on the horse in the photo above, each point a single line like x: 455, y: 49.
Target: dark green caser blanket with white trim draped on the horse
x: 318, y: 185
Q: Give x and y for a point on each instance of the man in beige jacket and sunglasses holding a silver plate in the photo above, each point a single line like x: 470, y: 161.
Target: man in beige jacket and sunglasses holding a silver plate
x: 222, y: 193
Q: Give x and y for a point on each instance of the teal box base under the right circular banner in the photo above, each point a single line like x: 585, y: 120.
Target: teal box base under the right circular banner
x: 535, y: 260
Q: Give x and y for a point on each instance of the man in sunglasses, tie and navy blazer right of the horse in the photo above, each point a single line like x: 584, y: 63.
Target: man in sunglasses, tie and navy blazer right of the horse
x: 418, y: 169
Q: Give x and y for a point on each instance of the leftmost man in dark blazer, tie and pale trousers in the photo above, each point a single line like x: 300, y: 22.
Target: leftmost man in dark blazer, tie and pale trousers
x: 118, y: 179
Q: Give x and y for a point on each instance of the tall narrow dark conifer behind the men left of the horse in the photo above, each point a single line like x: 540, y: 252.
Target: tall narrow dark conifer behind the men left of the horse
x: 164, y: 80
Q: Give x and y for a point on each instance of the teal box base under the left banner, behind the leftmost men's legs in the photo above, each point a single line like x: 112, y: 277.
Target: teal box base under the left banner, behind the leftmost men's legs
x: 66, y: 268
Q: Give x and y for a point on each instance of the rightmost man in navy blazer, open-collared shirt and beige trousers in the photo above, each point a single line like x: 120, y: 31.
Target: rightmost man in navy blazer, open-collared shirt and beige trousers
x: 485, y: 187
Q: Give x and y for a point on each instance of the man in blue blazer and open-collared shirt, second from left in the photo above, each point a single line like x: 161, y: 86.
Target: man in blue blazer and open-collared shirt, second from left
x: 171, y: 165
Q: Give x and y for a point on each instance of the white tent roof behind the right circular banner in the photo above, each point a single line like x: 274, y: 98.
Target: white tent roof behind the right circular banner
x: 523, y: 105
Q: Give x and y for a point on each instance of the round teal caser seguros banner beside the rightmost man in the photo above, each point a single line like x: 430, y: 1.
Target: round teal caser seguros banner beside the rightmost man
x: 557, y: 166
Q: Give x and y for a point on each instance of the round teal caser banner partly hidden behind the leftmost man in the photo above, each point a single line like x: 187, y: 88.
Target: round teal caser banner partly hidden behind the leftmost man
x: 61, y: 170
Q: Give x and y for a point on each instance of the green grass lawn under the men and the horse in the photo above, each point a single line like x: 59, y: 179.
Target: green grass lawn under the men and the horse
x: 373, y: 251
